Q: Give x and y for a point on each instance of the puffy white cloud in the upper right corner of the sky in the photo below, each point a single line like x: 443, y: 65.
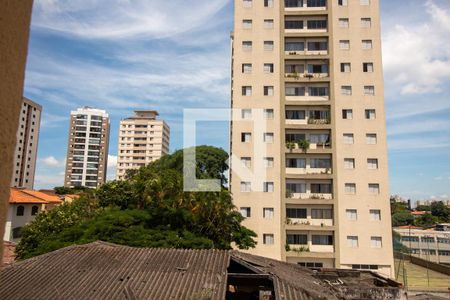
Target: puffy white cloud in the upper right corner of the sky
x: 416, y: 56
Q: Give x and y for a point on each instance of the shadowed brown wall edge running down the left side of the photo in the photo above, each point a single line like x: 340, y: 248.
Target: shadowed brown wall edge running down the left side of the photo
x: 14, y: 30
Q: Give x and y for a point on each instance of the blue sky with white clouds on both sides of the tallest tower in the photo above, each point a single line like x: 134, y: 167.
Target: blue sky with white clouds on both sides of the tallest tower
x: 122, y: 55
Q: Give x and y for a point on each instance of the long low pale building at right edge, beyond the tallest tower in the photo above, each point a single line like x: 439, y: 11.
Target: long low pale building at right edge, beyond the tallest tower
x: 432, y: 245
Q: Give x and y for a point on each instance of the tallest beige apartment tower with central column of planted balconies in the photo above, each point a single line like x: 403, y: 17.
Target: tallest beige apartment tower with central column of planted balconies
x: 313, y: 68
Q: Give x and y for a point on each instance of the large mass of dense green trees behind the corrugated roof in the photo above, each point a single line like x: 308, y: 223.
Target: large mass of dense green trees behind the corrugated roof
x: 149, y: 209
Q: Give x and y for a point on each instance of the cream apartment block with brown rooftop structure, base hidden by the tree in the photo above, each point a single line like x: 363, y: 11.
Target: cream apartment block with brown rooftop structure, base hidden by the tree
x: 142, y: 139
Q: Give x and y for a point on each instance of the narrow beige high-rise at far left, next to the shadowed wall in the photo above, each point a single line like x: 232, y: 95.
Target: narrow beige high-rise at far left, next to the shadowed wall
x: 27, y: 145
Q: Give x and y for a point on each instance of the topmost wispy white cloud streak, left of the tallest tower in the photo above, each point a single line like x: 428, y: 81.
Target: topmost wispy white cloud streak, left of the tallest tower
x: 112, y: 19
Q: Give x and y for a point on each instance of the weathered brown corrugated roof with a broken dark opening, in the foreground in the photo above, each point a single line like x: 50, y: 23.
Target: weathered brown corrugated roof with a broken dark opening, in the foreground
x: 107, y: 271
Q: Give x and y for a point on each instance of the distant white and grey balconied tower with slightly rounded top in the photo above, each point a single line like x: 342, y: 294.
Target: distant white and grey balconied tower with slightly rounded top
x: 87, y: 151
